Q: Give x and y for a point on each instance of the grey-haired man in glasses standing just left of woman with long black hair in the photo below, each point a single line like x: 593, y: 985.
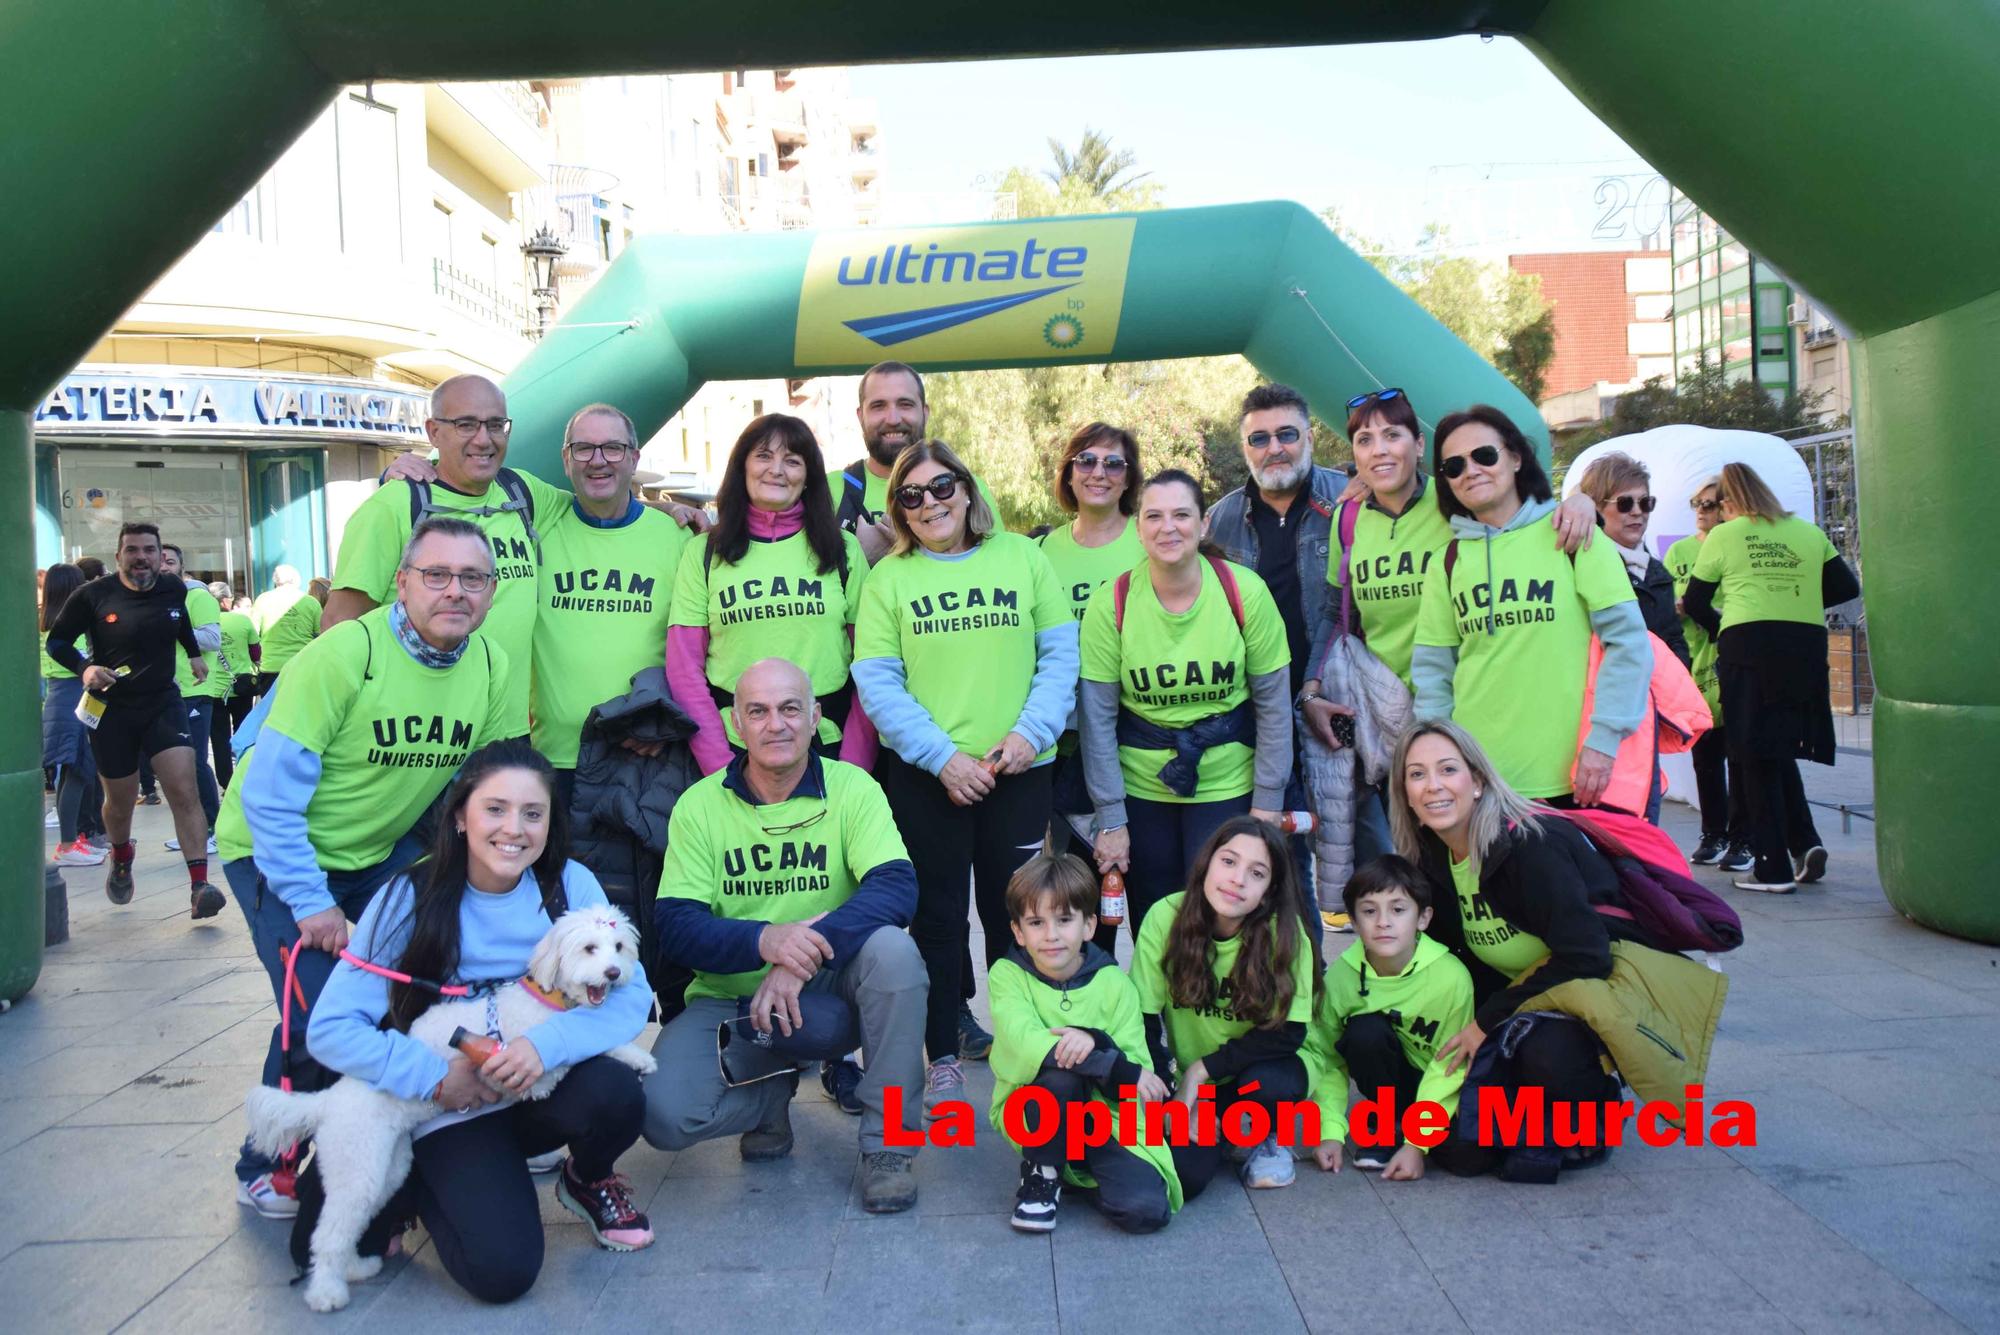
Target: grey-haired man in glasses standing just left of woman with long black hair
x: 605, y: 589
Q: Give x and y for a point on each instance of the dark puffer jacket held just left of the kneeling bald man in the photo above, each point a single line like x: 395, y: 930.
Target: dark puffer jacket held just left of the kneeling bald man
x: 623, y: 798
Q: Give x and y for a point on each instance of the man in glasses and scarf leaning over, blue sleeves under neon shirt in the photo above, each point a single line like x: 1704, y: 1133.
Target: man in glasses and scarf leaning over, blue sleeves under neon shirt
x: 371, y: 724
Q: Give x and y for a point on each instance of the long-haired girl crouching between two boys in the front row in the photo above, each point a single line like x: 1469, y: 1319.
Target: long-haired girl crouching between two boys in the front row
x: 1235, y: 976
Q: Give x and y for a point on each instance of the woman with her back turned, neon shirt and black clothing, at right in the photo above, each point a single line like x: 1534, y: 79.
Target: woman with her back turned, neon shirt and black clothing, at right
x: 1773, y: 575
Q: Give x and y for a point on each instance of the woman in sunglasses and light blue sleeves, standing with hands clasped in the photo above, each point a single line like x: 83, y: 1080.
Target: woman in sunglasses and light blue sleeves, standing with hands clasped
x: 965, y: 657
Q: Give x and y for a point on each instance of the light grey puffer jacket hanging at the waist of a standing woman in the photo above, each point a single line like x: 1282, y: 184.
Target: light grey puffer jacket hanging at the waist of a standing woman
x: 1351, y: 676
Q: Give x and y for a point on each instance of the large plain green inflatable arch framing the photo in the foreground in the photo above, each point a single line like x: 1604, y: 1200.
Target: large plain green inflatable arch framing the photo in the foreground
x: 133, y: 125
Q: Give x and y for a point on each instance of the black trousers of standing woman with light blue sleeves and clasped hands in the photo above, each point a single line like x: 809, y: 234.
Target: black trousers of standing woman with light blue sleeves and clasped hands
x: 957, y: 850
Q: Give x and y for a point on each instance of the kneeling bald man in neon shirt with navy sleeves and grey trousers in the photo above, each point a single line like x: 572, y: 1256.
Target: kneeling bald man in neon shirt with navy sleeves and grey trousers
x: 787, y: 890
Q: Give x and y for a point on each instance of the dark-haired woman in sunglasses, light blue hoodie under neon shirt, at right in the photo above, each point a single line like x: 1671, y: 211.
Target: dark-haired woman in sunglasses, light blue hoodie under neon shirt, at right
x: 1503, y: 641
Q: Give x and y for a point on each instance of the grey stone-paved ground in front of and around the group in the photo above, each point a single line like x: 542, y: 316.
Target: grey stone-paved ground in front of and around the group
x: 1871, y: 1202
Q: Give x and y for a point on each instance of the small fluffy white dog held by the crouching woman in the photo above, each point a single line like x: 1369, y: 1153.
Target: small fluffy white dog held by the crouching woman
x: 363, y: 1136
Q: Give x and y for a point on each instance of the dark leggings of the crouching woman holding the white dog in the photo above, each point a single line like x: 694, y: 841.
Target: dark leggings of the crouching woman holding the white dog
x: 473, y: 1188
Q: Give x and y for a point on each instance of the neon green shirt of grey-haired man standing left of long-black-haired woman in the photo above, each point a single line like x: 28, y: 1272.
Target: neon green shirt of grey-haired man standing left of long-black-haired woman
x: 605, y: 605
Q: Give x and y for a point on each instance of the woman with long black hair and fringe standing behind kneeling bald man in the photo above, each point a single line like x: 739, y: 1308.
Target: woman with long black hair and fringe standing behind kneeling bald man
x: 773, y: 579
